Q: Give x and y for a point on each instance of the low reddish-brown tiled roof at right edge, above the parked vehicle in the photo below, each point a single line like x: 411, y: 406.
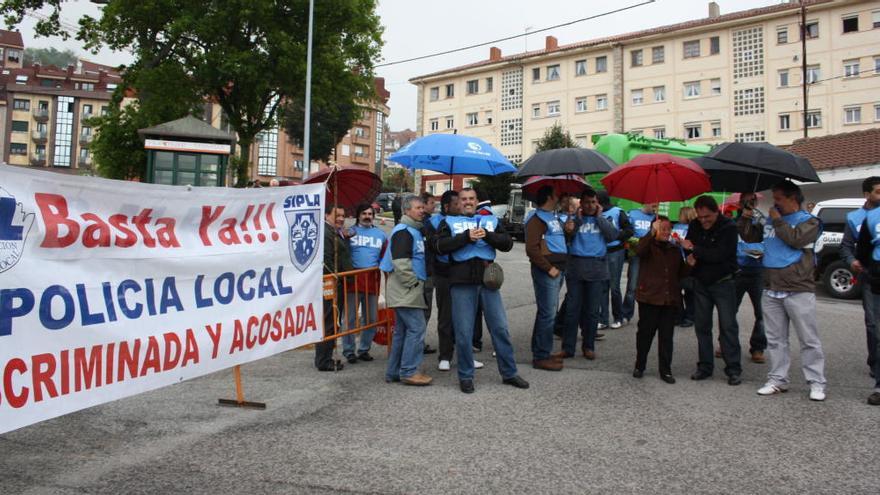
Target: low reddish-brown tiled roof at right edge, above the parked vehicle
x: 849, y: 149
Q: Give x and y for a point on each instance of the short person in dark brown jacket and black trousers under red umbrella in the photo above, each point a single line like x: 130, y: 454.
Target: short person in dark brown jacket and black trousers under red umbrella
x: 661, y: 266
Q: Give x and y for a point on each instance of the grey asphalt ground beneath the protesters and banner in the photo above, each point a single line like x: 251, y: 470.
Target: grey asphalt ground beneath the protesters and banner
x: 590, y: 428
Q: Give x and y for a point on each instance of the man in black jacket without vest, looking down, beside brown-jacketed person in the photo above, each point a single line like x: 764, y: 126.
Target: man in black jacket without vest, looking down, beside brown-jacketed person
x: 712, y: 240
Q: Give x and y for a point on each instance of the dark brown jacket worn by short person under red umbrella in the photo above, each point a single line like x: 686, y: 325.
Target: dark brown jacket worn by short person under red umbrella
x: 661, y: 268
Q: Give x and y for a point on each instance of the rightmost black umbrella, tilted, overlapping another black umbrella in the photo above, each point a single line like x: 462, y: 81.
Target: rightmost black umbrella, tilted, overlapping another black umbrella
x: 766, y: 157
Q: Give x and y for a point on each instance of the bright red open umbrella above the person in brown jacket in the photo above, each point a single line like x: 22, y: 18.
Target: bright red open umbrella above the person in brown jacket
x: 656, y: 177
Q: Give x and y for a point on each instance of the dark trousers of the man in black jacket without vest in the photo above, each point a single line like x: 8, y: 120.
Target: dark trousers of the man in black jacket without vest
x: 721, y: 295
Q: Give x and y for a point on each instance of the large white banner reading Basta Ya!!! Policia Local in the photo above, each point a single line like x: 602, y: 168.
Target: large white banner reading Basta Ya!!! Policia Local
x: 111, y: 288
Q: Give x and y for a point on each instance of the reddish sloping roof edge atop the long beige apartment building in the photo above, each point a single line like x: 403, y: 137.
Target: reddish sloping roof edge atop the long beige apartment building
x: 670, y: 28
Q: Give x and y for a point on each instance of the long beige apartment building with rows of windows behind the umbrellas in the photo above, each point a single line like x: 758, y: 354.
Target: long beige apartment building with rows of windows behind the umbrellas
x: 728, y: 77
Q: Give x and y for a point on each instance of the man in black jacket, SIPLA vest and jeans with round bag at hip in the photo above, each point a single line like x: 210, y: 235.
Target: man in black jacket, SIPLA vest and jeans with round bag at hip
x: 471, y: 241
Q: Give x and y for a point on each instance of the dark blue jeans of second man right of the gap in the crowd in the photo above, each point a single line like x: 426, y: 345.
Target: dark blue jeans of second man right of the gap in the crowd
x: 582, y: 310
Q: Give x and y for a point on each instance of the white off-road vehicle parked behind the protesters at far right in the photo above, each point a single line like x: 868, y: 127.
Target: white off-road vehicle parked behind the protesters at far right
x: 832, y: 272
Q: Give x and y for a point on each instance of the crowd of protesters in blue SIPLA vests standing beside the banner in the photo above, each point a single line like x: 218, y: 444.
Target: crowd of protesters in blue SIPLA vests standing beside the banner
x: 679, y: 274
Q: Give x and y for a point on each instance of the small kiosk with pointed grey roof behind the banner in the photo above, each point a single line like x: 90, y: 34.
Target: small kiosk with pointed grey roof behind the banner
x: 187, y: 151
